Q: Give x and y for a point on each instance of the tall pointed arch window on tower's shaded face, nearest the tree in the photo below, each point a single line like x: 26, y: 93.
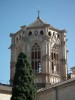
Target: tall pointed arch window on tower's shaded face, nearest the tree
x: 36, y: 58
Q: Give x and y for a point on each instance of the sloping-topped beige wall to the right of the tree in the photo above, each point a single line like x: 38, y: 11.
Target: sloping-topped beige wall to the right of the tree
x: 60, y: 91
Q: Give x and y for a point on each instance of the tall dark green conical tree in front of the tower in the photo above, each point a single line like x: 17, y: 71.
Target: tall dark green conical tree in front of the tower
x: 23, y: 82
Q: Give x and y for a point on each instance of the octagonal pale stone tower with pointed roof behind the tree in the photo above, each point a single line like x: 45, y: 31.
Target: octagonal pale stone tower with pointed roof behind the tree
x: 45, y: 47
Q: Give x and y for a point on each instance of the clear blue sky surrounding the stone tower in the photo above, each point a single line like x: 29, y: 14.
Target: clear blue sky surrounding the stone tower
x: 15, y: 13
